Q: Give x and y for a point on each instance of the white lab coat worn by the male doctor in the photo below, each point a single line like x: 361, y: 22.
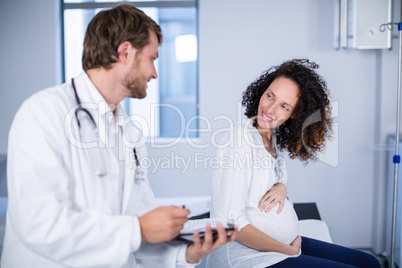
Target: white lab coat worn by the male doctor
x: 60, y: 214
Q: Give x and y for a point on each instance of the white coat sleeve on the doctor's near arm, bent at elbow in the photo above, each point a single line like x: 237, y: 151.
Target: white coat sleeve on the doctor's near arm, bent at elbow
x: 40, y: 210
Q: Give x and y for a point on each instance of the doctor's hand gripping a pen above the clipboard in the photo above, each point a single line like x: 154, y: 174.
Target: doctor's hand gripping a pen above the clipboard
x: 162, y: 224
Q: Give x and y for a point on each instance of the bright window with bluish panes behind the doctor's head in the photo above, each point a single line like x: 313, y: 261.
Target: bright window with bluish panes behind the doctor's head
x: 172, y: 101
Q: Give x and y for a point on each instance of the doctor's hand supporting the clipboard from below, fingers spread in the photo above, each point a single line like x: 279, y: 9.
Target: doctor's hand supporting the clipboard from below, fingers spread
x: 201, y: 247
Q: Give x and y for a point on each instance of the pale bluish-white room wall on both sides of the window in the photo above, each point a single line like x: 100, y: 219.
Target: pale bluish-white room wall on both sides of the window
x: 238, y: 40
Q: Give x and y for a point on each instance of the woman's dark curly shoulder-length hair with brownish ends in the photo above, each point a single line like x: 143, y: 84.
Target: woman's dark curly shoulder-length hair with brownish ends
x: 304, y: 134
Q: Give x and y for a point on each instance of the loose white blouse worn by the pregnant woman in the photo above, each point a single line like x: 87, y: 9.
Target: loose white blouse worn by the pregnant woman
x: 246, y: 172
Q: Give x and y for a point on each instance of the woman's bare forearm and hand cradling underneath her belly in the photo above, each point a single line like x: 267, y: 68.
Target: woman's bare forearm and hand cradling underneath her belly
x: 256, y: 239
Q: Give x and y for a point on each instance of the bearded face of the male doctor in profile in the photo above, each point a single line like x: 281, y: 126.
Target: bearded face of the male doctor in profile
x: 142, y: 69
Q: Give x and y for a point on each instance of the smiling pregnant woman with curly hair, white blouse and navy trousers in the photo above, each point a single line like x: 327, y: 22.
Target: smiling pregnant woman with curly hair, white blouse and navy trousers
x: 288, y: 110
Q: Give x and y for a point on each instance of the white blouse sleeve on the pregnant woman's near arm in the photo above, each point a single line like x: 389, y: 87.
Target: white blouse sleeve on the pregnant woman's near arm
x: 231, y: 181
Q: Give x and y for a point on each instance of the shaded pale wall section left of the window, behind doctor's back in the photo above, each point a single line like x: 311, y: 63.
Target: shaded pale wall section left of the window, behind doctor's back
x: 29, y: 60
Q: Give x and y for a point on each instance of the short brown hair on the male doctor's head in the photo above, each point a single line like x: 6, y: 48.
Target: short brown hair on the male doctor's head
x: 109, y: 28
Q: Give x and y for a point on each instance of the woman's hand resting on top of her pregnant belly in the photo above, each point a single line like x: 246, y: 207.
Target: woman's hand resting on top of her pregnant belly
x: 276, y: 194
